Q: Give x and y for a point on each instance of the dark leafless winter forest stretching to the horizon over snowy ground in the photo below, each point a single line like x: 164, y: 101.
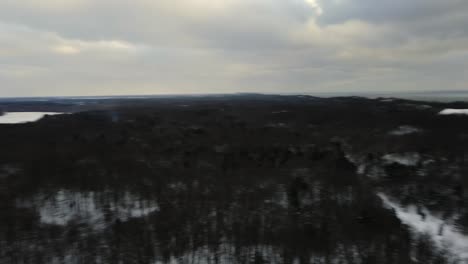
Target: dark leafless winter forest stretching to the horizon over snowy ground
x: 238, y: 179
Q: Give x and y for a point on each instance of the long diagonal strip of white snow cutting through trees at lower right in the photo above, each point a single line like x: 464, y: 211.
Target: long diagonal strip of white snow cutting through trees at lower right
x: 444, y: 234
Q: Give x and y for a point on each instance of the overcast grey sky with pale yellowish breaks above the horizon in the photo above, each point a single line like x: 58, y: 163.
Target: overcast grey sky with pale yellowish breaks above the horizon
x: 118, y: 47
